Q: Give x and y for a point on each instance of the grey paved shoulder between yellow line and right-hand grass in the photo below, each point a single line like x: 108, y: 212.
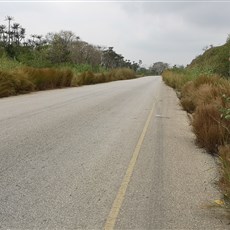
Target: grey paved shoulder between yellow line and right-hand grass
x: 174, y: 180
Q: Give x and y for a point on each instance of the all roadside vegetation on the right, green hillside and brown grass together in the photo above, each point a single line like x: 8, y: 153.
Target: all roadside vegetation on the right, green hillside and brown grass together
x: 204, y: 91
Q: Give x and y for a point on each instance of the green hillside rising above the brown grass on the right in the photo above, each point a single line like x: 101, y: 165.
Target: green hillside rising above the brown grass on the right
x: 214, y: 60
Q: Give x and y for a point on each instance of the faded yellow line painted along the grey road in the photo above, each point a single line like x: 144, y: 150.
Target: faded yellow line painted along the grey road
x: 111, y: 219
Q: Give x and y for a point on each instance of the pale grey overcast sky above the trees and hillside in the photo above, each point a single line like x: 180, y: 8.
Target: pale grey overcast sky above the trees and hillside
x: 170, y: 31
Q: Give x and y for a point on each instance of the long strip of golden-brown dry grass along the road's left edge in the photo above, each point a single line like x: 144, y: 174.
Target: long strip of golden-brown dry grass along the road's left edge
x: 27, y: 79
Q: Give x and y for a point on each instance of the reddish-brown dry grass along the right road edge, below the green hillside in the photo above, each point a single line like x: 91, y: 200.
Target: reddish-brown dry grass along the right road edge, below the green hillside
x: 207, y: 98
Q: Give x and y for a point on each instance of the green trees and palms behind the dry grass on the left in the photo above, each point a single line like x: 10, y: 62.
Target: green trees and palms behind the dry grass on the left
x: 57, y: 48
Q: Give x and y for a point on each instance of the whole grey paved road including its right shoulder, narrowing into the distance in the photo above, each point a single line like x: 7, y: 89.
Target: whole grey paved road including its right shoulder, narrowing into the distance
x: 64, y: 155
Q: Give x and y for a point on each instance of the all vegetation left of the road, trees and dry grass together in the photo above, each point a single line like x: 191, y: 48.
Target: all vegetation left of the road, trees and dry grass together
x: 56, y: 60
